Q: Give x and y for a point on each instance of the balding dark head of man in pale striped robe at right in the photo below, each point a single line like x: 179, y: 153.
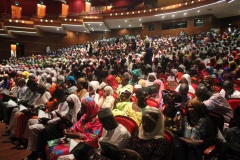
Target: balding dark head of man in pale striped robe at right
x: 202, y: 92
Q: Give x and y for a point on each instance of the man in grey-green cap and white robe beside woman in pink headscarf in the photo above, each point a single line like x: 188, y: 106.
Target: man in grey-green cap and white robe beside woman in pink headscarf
x: 113, y: 132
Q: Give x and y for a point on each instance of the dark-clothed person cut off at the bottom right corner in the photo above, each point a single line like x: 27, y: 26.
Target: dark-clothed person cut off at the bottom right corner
x: 230, y: 149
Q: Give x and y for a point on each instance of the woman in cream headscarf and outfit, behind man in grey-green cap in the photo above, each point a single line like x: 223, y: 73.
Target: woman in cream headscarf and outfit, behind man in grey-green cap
x: 107, y: 99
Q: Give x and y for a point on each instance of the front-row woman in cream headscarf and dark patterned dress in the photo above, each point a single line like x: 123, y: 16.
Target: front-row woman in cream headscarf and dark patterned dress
x: 150, y: 143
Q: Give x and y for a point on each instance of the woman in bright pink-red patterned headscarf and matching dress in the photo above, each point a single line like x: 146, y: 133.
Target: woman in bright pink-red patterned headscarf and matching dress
x: 87, y: 129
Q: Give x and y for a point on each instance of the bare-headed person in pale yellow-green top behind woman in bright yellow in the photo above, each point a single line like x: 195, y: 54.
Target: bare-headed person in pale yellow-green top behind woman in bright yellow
x: 125, y: 85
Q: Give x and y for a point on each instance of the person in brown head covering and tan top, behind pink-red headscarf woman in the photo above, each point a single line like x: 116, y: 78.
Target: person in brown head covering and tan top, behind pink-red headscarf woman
x: 81, y: 90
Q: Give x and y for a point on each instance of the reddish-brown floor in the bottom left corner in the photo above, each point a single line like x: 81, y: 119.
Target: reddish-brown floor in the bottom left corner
x: 6, y: 151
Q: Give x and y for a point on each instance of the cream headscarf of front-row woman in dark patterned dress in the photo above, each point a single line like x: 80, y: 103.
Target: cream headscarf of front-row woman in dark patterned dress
x: 158, y: 131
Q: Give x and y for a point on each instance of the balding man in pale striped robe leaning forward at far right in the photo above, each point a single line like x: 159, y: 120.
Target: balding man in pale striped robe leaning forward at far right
x: 214, y: 102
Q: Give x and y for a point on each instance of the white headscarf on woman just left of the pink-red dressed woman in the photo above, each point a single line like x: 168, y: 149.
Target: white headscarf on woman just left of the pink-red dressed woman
x: 77, y: 105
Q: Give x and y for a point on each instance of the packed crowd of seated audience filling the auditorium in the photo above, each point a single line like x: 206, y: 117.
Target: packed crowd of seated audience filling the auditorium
x: 164, y: 84
